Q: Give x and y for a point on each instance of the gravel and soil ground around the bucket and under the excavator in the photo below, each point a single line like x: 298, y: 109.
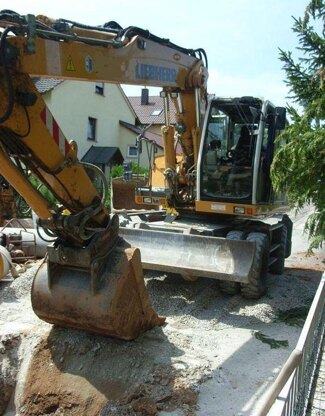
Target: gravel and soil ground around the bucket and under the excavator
x: 216, y: 354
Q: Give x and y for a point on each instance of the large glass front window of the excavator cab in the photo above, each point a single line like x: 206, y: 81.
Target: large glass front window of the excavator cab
x: 228, y: 155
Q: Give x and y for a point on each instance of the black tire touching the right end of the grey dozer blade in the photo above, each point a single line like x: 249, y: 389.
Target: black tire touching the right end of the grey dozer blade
x: 257, y: 283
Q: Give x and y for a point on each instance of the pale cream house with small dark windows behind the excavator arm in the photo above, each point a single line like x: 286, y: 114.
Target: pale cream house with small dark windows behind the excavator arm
x: 99, y: 117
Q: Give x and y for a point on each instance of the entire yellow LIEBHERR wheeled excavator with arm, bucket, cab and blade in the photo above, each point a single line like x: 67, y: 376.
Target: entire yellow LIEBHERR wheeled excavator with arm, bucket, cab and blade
x: 92, y: 278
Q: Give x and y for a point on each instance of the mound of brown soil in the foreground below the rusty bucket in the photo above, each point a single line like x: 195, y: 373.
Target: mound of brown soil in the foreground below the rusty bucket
x: 66, y: 377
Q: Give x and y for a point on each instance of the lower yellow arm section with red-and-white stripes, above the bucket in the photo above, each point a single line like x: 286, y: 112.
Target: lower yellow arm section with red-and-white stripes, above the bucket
x: 32, y: 142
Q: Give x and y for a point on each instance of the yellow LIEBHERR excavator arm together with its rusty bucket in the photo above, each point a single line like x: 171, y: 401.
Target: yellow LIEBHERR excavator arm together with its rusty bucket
x: 92, y: 278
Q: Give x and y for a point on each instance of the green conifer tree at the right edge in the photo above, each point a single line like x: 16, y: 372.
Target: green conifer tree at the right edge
x: 299, y: 165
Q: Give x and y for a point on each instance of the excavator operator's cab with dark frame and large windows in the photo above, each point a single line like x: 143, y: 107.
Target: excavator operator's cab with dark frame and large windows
x: 237, y: 151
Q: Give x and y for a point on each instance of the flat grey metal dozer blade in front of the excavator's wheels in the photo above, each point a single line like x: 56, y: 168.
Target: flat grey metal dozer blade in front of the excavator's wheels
x: 193, y: 255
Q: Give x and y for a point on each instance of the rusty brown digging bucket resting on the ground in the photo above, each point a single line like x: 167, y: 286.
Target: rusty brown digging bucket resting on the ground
x: 108, y: 298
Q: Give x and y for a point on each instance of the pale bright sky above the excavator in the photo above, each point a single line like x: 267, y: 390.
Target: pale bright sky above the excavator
x: 241, y: 37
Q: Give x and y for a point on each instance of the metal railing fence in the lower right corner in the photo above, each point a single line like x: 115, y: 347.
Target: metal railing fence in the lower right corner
x: 290, y: 392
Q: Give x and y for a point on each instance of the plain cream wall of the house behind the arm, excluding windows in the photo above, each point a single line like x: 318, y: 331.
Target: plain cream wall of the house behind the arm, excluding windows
x: 72, y: 102
